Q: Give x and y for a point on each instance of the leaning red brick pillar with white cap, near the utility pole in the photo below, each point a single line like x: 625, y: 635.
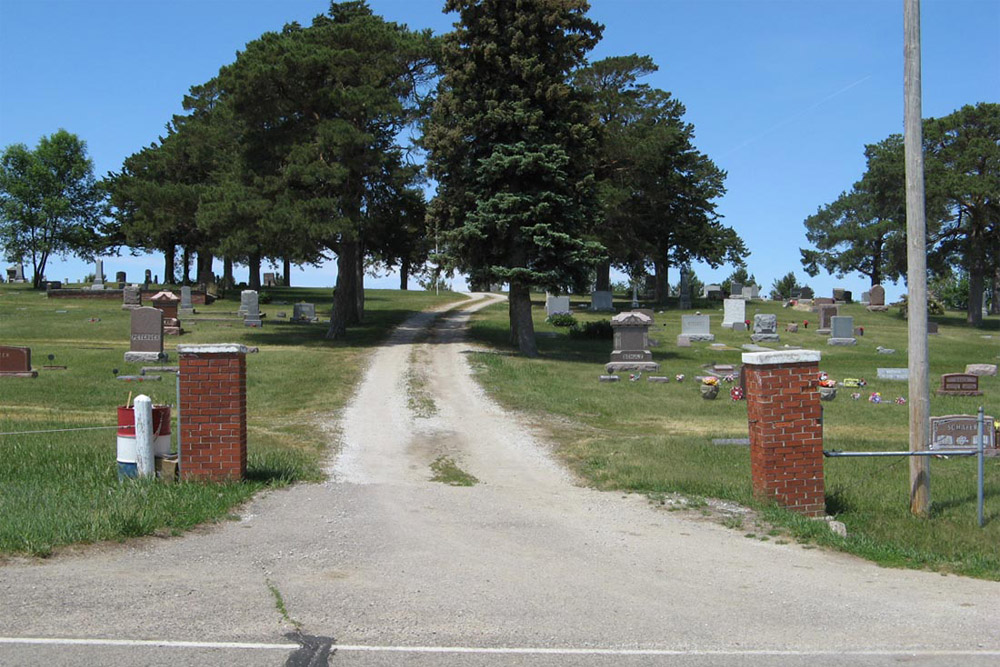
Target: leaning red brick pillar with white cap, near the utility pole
x: 786, y: 431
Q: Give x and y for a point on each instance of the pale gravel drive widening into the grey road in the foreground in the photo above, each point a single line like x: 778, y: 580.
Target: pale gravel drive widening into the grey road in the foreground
x: 381, y: 566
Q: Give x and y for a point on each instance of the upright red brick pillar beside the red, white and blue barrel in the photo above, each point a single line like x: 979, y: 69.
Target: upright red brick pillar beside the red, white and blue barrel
x: 213, y: 404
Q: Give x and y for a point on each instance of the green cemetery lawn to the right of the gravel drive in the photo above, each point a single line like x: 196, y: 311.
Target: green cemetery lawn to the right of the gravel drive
x: 657, y: 438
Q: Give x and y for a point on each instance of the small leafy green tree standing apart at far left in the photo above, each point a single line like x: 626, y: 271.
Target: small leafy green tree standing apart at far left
x: 50, y: 202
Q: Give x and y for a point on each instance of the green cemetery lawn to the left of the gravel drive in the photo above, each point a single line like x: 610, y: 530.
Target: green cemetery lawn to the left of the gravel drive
x: 62, y: 488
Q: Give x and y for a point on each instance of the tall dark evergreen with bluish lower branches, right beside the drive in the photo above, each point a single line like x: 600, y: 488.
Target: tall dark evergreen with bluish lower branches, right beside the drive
x: 511, y: 144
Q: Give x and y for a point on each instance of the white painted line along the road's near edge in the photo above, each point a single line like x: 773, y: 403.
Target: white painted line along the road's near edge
x: 510, y: 650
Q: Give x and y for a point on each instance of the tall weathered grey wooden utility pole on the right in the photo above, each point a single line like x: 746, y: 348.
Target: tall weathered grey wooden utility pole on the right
x: 916, y: 264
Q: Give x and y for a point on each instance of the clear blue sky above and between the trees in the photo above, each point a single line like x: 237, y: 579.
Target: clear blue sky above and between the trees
x: 784, y: 94
